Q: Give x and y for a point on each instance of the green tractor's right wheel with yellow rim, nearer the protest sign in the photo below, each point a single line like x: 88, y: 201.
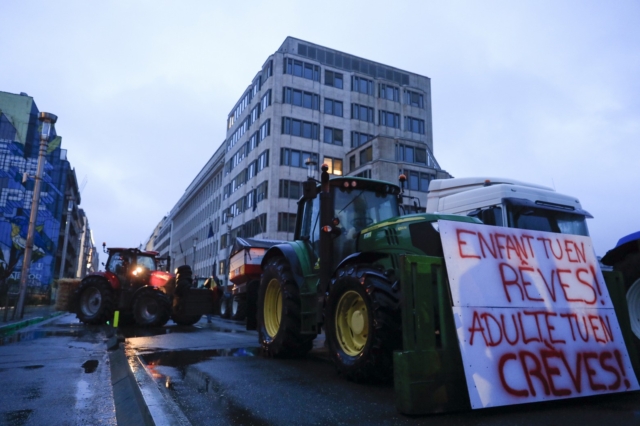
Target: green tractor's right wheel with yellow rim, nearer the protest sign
x: 363, y: 324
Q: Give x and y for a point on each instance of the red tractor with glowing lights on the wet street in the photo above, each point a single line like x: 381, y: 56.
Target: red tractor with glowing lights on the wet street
x: 133, y: 285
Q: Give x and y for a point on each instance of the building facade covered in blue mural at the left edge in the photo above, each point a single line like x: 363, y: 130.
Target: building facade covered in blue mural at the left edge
x: 19, y: 145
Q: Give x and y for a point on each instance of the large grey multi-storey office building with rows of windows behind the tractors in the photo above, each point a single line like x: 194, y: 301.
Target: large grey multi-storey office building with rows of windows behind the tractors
x: 308, y: 102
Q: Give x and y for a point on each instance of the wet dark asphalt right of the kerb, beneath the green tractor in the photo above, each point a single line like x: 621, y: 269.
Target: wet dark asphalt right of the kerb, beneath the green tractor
x: 214, y: 375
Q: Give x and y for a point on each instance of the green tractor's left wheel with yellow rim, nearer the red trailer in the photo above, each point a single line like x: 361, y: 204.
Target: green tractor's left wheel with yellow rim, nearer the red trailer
x: 279, y: 313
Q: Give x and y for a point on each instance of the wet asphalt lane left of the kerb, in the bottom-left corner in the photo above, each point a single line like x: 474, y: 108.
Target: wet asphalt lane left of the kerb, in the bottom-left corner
x: 56, y: 373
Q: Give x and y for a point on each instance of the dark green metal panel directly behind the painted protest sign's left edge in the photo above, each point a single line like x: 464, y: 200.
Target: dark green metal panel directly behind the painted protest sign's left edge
x: 428, y: 373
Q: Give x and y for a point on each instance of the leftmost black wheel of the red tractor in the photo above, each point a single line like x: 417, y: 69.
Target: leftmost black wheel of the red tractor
x: 95, y: 301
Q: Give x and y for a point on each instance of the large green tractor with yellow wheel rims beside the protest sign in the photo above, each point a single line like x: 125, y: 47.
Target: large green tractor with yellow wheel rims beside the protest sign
x: 342, y: 274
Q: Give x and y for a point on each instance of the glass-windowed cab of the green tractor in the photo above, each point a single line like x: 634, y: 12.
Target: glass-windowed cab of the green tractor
x: 352, y: 204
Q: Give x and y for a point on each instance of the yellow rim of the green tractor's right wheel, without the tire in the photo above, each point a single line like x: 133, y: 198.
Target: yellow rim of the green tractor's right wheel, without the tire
x: 352, y: 323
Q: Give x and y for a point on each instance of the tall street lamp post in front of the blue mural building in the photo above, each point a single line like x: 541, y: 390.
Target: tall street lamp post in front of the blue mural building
x: 48, y: 120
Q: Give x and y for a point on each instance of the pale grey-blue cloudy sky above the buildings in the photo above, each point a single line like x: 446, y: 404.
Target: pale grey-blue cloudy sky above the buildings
x: 539, y: 91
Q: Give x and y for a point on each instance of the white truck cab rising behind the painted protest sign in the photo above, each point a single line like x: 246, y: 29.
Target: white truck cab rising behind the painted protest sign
x: 508, y: 202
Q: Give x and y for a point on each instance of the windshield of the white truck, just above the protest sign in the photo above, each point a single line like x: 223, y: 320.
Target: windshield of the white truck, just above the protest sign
x: 538, y: 219
